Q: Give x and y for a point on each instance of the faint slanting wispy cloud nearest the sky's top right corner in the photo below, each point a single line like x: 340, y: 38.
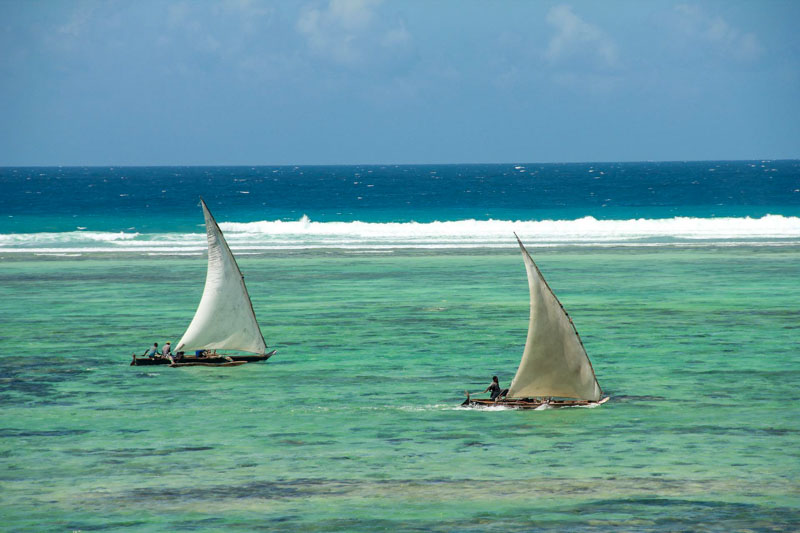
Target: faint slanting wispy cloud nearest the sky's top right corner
x: 717, y: 33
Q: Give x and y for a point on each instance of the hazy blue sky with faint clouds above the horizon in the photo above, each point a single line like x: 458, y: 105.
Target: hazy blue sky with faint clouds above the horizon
x: 160, y: 82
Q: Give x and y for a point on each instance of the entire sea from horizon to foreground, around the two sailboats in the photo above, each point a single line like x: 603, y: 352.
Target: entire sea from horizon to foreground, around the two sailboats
x: 388, y: 291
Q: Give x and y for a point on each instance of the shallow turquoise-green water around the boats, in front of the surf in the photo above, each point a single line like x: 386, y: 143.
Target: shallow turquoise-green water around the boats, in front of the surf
x: 354, y: 424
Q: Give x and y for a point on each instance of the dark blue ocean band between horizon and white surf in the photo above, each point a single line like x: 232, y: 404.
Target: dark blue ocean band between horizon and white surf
x: 163, y: 199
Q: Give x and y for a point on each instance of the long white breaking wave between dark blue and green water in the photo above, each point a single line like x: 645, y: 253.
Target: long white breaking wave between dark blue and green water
x: 305, y: 233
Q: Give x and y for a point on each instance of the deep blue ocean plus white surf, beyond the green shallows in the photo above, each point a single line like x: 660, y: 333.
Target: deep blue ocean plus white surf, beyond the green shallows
x: 98, y: 208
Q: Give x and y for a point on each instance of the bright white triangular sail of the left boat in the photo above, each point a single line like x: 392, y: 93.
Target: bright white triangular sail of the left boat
x: 225, y: 319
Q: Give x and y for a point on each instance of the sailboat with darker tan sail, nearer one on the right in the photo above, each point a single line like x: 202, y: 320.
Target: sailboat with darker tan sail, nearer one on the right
x: 555, y: 370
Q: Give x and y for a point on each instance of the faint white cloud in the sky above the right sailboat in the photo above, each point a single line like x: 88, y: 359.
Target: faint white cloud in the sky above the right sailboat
x: 576, y: 37
